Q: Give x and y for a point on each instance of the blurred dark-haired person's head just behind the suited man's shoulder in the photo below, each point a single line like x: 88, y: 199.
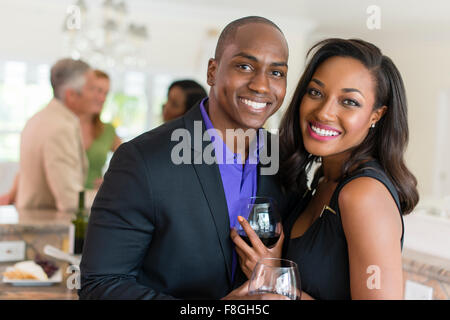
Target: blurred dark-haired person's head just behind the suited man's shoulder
x: 181, y: 96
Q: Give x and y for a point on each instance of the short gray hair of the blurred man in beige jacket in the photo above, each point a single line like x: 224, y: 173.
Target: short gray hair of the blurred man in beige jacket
x: 68, y: 73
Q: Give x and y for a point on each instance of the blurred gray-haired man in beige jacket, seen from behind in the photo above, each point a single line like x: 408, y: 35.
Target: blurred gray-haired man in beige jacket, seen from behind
x: 53, y: 163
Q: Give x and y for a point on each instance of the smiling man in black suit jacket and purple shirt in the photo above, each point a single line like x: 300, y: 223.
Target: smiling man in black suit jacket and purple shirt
x: 160, y: 224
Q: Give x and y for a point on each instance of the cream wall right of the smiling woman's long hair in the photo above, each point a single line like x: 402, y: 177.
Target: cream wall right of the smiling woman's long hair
x: 426, y: 72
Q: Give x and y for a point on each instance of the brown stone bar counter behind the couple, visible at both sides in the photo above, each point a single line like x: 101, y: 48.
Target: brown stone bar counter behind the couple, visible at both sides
x: 40, y: 227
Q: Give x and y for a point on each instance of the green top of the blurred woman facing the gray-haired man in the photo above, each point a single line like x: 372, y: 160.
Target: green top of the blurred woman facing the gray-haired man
x: 97, y: 153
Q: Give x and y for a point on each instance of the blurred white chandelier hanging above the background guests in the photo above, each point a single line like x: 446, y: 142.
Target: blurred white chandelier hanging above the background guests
x: 103, y: 36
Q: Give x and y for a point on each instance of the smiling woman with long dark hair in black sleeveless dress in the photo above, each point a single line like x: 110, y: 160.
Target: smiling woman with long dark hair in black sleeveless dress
x: 348, y: 118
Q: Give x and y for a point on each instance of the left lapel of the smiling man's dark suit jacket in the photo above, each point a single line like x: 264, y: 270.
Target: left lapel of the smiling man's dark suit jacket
x: 211, y: 182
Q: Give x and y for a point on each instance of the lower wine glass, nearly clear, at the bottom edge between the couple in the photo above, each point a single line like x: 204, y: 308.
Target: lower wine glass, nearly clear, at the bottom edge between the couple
x: 279, y: 276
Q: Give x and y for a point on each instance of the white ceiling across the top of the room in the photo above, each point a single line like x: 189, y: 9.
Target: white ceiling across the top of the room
x: 328, y: 14
